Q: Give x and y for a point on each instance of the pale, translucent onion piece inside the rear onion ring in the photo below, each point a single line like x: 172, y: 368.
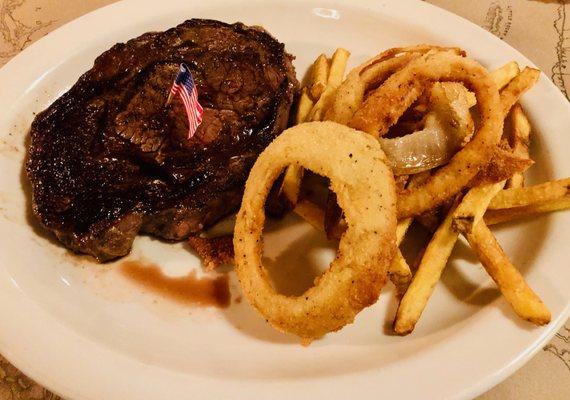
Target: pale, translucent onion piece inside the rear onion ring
x: 448, y: 126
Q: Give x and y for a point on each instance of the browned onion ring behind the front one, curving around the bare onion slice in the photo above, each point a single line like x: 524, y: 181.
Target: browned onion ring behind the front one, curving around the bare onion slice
x: 385, y: 105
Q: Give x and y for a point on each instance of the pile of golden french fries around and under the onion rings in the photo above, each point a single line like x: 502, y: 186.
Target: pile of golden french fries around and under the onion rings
x: 469, y: 215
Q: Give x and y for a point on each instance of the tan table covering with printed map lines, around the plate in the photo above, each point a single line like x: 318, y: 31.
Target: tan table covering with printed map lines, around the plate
x: 538, y: 28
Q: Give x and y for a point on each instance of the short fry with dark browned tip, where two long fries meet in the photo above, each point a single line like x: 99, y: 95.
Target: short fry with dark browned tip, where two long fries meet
x: 473, y: 207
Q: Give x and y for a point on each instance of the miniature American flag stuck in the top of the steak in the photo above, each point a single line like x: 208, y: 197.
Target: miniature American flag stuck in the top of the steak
x: 185, y: 87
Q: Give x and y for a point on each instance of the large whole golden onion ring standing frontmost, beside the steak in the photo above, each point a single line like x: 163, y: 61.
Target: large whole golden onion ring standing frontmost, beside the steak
x: 365, y: 189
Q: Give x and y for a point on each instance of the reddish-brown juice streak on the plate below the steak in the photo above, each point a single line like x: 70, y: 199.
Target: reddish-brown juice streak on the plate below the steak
x: 187, y: 289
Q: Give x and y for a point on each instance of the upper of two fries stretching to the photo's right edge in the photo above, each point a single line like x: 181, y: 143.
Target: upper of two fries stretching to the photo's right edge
x: 531, y: 195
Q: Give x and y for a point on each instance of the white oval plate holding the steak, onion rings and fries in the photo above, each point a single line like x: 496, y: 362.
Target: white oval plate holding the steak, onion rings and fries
x: 85, y: 331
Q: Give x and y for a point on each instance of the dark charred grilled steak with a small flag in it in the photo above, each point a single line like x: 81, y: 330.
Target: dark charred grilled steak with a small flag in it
x: 108, y: 159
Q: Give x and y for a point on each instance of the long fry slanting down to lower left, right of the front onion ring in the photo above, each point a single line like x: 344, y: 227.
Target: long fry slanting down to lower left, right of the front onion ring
x: 429, y: 271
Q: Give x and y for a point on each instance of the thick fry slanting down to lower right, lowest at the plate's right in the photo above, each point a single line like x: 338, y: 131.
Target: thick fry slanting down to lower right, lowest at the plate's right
x: 524, y: 301
